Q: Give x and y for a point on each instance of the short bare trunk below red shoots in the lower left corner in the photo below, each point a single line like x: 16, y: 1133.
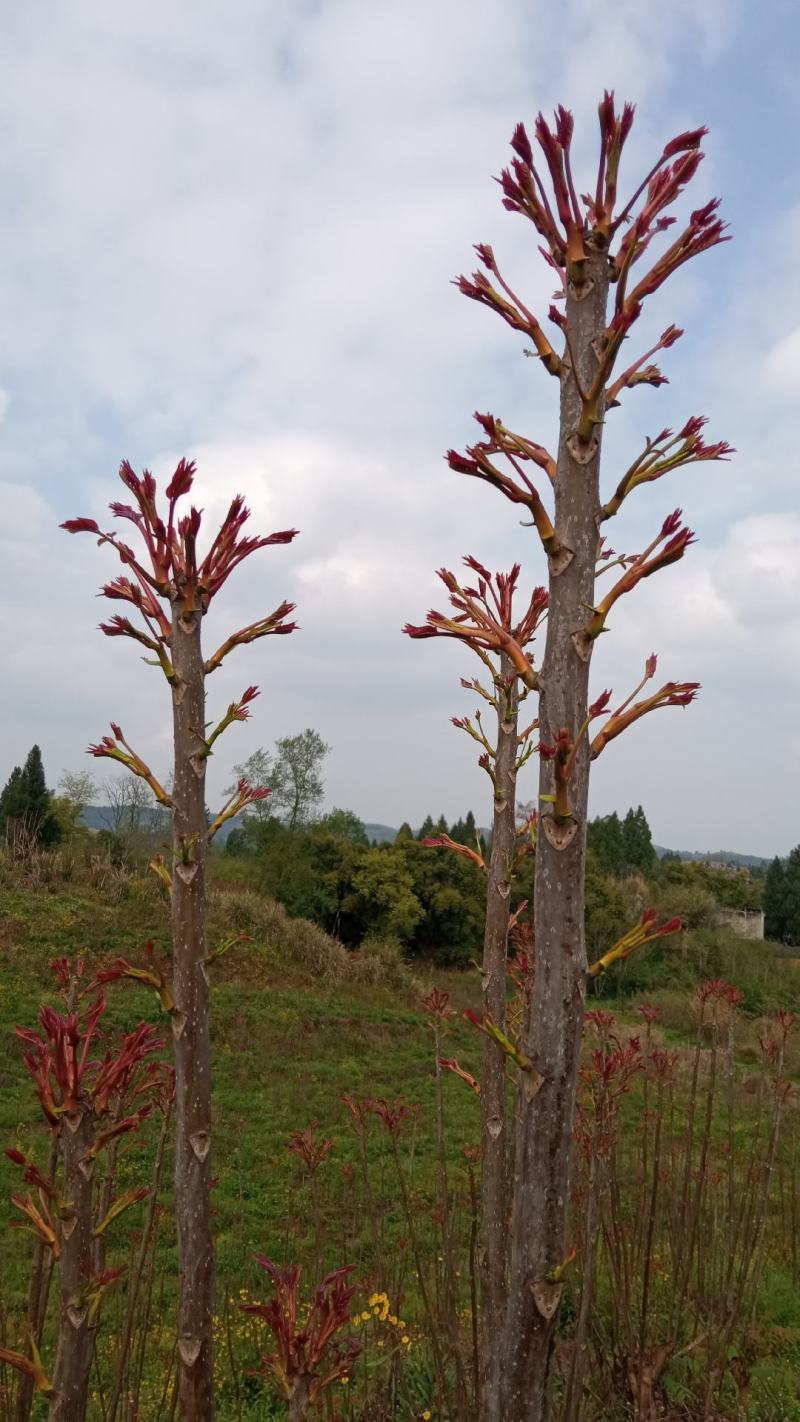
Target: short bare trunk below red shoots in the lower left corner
x: 76, y: 1335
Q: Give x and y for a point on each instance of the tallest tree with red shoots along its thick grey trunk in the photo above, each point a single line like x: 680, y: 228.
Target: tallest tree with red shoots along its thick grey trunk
x: 606, y: 257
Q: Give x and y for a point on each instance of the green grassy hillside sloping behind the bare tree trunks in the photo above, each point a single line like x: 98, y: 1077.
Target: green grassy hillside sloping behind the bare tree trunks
x: 299, y: 1023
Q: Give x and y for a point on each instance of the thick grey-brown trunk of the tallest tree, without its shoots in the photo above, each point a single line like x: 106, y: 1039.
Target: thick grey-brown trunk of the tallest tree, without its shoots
x: 544, y: 1127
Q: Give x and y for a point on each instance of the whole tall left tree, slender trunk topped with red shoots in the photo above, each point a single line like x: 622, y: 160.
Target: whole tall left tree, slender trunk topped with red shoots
x: 171, y: 587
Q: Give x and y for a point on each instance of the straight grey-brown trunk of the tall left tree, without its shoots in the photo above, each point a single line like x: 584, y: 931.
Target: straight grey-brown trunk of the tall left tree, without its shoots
x: 191, y: 1025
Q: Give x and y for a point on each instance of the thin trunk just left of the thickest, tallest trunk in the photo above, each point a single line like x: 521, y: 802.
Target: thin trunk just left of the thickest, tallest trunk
x: 494, y: 1093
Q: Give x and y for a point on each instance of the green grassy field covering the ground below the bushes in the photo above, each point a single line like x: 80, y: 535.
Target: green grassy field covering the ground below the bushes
x: 298, y: 1025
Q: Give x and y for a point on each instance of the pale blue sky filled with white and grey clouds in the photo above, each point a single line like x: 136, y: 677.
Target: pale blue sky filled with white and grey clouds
x: 231, y: 231
